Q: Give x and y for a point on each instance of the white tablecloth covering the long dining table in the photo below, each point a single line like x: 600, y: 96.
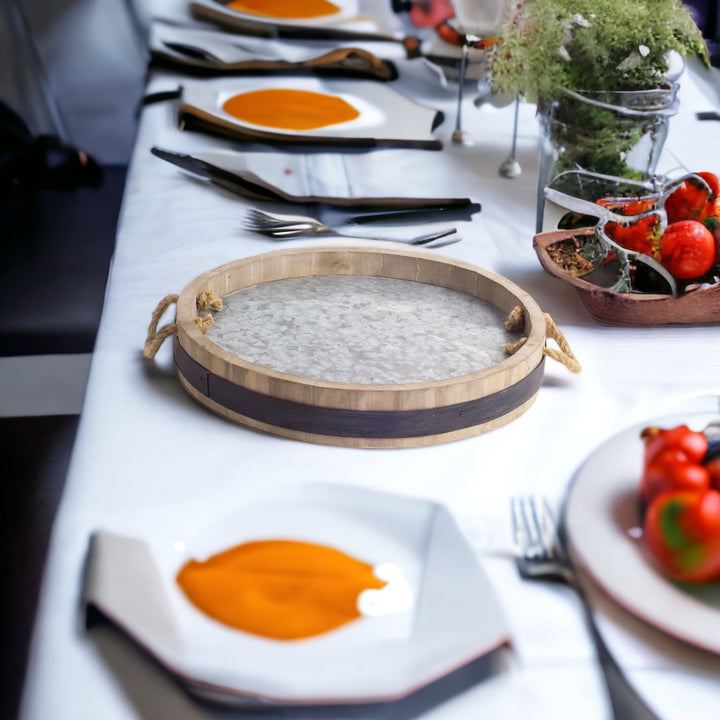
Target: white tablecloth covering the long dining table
x: 146, y: 451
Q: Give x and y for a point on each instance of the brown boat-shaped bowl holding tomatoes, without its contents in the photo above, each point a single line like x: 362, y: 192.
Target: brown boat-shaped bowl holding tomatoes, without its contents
x: 629, y: 309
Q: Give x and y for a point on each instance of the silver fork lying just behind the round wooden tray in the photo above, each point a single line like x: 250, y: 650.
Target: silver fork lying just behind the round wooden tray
x: 283, y: 227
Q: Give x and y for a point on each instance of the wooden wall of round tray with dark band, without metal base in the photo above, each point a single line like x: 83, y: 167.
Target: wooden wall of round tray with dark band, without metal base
x: 356, y: 414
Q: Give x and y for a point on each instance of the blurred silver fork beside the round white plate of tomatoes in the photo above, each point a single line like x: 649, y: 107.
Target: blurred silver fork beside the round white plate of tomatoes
x: 543, y: 556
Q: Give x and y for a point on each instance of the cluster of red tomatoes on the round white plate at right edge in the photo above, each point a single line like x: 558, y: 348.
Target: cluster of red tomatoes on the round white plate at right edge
x: 680, y: 495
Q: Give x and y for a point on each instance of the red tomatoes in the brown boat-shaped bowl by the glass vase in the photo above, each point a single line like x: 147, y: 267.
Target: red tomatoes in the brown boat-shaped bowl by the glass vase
x: 689, y: 246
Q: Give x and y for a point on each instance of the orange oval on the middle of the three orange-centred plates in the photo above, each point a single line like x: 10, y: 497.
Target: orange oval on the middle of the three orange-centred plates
x: 290, y: 109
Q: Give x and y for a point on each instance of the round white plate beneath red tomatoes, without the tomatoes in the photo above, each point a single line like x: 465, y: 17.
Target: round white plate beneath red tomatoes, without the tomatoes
x: 601, y: 519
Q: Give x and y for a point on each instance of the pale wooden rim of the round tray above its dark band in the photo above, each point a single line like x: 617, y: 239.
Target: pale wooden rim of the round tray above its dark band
x: 399, y: 264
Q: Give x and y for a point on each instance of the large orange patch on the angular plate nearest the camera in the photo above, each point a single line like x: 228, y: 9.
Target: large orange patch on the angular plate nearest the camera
x: 280, y: 589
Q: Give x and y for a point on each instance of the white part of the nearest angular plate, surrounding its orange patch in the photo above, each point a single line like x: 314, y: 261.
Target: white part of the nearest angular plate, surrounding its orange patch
x: 454, y: 617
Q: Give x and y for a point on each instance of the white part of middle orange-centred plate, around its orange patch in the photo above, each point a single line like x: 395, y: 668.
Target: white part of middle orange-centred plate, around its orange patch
x: 385, y: 115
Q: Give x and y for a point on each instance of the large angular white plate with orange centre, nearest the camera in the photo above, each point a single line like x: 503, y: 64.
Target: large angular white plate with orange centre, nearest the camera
x: 348, y: 583
